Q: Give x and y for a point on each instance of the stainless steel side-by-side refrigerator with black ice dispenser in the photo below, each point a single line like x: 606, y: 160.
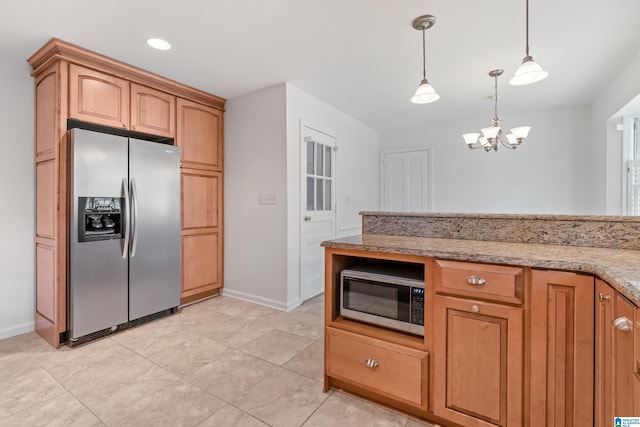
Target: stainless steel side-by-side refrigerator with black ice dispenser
x: 124, y: 232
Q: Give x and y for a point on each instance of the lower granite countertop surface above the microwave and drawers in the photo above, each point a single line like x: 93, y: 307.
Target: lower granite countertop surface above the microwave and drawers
x: 618, y: 267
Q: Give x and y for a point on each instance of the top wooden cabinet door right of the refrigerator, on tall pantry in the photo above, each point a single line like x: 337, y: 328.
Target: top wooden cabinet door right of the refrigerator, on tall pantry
x: 199, y: 135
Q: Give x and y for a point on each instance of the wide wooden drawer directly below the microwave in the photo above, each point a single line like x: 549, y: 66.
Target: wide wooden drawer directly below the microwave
x: 389, y: 369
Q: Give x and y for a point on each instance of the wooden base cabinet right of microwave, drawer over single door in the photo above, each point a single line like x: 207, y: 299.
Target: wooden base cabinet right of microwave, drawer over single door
x: 478, y: 344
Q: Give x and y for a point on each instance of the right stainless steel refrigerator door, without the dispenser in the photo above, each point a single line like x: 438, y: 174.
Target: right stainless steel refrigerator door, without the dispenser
x: 155, y: 255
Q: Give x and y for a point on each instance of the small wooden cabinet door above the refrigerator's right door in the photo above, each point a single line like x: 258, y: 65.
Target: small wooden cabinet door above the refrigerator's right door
x: 153, y: 111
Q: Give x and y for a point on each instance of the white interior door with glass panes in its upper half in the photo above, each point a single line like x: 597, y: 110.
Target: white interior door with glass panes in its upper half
x: 318, y: 215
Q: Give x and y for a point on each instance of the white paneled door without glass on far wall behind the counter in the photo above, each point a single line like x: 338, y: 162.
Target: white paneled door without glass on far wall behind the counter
x: 406, y: 176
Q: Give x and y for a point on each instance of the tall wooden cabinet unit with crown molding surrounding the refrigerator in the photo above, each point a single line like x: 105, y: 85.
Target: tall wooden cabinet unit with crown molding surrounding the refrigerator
x: 74, y: 83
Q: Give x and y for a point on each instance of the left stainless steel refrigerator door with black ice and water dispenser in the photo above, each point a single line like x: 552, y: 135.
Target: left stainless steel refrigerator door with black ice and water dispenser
x: 97, y: 269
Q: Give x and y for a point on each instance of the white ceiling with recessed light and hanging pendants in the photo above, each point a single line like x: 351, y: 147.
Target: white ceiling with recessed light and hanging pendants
x: 361, y: 56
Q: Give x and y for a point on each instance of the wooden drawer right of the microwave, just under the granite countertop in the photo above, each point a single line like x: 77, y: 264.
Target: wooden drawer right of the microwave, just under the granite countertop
x: 486, y: 281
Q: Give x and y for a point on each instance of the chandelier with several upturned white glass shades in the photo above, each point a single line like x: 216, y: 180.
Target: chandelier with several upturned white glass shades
x: 492, y: 136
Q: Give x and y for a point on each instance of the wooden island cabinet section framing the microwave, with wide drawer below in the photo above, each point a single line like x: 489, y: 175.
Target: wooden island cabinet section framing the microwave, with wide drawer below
x: 389, y: 366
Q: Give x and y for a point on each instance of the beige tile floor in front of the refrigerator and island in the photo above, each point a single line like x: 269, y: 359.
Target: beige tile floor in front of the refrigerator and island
x: 221, y: 362
